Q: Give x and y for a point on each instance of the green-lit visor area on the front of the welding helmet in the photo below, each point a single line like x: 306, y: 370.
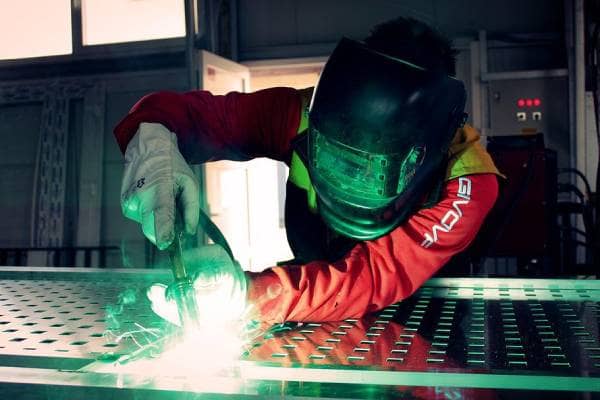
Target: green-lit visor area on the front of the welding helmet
x: 364, y: 179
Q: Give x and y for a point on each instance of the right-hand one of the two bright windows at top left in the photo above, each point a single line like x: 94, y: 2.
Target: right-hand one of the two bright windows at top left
x: 117, y: 21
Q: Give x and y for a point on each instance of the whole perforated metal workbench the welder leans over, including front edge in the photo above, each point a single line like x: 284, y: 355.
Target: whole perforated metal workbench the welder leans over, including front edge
x: 454, y: 338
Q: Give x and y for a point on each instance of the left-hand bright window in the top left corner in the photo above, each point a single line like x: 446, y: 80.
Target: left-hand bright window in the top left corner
x: 35, y: 29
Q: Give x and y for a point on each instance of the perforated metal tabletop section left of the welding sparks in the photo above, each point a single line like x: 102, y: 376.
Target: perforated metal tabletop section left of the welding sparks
x: 68, y: 318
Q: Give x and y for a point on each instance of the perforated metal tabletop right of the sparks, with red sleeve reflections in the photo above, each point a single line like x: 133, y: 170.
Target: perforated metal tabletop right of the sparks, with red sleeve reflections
x: 437, y: 330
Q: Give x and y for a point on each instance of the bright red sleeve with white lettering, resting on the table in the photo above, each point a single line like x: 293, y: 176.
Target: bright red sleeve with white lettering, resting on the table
x: 375, y: 274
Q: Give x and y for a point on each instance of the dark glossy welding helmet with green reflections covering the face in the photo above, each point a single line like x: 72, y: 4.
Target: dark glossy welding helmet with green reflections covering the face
x: 379, y: 132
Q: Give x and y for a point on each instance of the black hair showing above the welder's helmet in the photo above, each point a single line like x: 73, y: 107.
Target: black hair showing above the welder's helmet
x: 415, y: 42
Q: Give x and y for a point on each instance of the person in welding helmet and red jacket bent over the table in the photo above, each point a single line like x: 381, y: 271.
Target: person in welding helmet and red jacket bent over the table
x: 386, y: 180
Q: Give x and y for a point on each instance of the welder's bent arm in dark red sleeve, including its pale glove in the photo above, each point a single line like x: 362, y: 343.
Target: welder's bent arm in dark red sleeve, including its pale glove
x: 166, y: 130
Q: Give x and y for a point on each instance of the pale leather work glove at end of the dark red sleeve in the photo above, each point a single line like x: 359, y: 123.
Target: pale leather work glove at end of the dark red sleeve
x: 156, y: 180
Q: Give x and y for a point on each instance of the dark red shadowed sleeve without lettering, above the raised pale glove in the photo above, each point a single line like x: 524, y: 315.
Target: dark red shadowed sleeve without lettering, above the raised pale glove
x: 236, y: 126
